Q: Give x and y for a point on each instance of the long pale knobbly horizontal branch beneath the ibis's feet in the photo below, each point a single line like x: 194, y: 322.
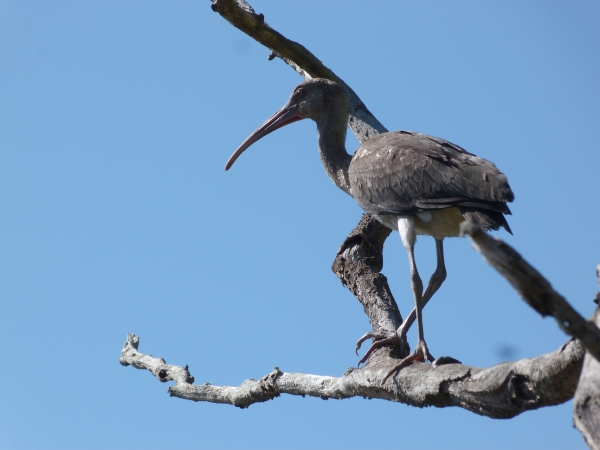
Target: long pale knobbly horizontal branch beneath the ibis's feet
x: 502, y: 391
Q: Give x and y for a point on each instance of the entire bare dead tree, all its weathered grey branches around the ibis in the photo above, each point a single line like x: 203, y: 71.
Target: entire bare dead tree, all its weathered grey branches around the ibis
x: 501, y: 391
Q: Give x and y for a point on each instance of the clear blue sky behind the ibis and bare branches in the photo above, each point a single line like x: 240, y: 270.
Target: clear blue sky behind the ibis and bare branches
x: 116, y: 216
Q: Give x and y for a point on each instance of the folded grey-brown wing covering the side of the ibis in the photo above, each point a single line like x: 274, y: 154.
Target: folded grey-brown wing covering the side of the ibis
x: 403, y: 172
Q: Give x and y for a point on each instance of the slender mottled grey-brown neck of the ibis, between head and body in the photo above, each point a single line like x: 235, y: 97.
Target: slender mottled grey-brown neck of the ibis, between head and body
x: 331, y: 127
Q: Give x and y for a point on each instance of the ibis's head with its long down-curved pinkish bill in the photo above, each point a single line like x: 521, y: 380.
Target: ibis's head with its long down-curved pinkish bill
x: 310, y: 100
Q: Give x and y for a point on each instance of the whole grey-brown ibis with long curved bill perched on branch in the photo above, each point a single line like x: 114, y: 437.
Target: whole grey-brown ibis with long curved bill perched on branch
x: 413, y: 183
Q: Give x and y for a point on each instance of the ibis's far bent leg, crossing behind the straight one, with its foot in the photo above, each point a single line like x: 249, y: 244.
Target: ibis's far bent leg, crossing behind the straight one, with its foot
x: 399, y: 337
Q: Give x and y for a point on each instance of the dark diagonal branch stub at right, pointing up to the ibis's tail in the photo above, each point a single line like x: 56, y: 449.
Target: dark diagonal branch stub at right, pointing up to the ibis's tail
x: 534, y: 288
